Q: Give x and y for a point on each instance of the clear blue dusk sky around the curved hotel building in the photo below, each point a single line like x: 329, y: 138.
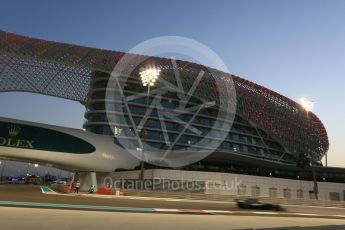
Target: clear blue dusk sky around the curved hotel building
x: 294, y: 47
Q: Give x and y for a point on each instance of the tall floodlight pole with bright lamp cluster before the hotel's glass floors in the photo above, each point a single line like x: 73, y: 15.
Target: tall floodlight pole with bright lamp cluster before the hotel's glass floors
x: 148, y: 78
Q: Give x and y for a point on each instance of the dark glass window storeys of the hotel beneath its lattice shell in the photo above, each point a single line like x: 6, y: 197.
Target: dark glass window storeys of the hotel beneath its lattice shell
x: 237, y: 136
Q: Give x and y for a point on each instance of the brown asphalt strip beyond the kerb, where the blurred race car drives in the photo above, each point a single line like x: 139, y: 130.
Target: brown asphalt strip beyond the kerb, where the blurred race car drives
x: 29, y: 193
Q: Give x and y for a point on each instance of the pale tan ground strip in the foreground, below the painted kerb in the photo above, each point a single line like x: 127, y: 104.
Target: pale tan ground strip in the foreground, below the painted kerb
x: 13, y: 218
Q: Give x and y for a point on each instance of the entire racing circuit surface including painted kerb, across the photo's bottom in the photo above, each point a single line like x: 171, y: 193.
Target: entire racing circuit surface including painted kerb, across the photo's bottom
x: 123, y: 209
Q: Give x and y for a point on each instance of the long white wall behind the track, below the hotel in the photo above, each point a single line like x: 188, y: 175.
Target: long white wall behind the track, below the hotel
x: 227, y: 183
